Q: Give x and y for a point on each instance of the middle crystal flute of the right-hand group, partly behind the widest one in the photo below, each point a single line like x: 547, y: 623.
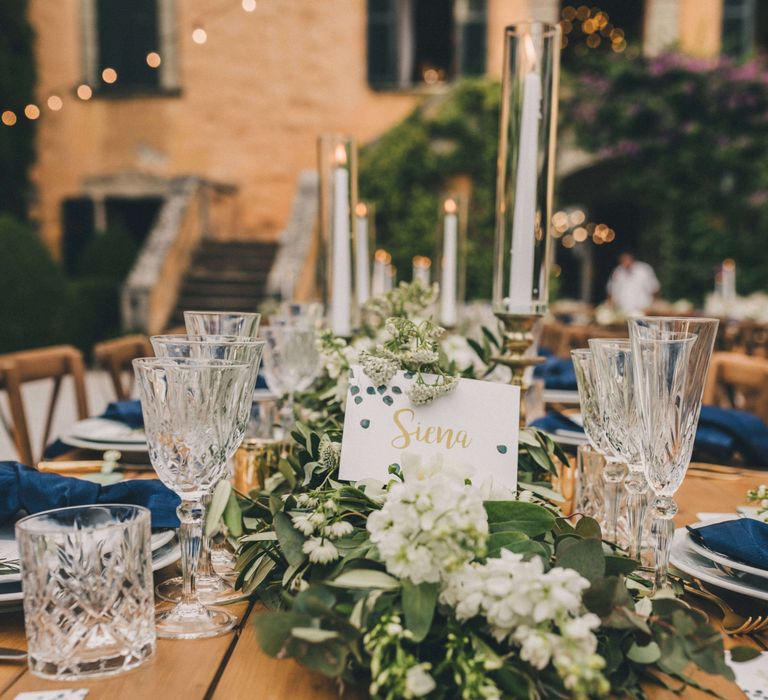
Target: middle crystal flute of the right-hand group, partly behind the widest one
x: 616, y: 382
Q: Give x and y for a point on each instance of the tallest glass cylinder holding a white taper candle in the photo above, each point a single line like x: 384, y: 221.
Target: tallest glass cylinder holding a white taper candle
x: 526, y: 168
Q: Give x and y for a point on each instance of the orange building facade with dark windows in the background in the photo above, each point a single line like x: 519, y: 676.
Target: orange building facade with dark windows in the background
x: 239, y: 92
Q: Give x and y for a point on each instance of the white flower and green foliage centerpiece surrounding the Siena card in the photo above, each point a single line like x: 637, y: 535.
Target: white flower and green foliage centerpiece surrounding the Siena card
x: 424, y: 586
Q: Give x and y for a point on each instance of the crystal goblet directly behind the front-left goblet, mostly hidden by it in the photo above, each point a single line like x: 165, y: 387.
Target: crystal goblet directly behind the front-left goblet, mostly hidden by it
x: 212, y: 588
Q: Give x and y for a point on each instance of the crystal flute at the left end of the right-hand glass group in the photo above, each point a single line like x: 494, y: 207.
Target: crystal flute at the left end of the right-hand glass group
x: 593, y: 419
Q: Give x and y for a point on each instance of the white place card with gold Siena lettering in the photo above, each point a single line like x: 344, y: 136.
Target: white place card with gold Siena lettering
x: 475, y: 426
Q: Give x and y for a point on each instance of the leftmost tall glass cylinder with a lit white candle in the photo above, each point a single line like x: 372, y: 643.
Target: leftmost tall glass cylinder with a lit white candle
x: 337, y: 156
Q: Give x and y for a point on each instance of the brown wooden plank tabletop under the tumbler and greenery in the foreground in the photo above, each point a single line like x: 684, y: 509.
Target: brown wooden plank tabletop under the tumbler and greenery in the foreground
x: 233, y: 666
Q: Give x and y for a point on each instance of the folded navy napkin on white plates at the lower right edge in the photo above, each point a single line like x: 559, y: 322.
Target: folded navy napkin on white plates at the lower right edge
x: 742, y: 539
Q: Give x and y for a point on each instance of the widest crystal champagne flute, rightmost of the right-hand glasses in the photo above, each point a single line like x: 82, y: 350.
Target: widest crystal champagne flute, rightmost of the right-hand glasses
x: 671, y: 359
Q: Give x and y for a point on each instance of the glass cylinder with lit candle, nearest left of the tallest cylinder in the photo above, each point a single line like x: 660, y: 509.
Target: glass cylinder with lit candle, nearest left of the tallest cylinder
x: 451, y: 258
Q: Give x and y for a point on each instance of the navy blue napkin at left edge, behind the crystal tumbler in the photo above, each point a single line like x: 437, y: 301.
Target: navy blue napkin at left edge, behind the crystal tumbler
x: 24, y: 489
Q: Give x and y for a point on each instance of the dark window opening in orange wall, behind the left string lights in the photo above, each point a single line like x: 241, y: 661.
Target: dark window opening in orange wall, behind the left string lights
x: 127, y: 32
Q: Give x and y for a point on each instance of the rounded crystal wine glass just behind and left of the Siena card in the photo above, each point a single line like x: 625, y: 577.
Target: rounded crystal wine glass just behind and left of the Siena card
x: 291, y: 363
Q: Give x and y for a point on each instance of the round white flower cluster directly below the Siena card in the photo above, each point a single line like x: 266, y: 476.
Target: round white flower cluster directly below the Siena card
x: 428, y: 527
